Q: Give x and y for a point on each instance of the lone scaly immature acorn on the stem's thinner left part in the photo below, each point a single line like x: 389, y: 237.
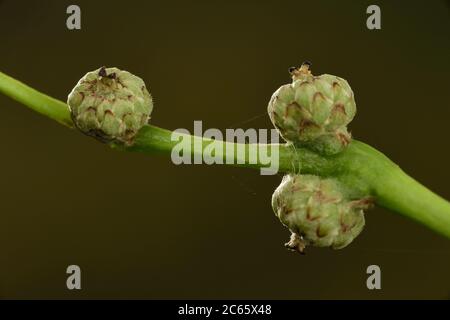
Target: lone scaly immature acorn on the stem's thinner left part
x: 110, y: 105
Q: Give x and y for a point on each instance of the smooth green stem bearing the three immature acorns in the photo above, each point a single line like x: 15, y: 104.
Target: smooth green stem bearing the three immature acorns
x: 364, y: 170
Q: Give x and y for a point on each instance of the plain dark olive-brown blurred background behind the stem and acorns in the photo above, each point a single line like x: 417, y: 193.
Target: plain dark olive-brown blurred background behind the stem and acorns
x: 141, y: 227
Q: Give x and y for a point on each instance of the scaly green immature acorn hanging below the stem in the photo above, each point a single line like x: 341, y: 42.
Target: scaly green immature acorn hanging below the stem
x: 317, y: 212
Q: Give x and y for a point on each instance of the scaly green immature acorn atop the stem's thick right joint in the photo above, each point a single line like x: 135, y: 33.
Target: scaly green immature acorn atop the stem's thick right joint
x: 314, y: 111
